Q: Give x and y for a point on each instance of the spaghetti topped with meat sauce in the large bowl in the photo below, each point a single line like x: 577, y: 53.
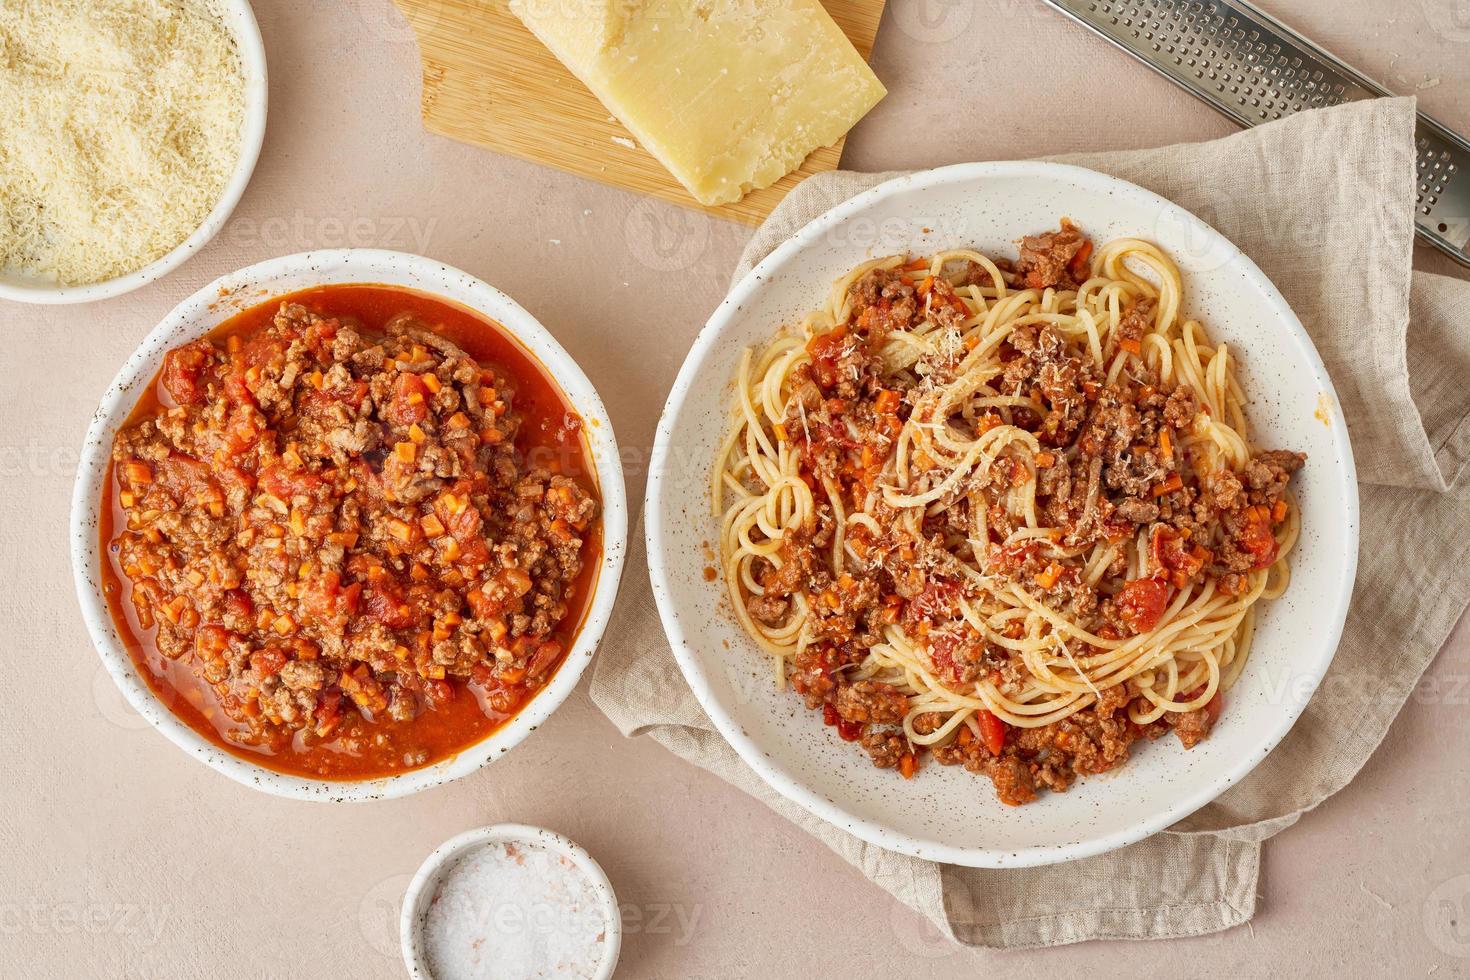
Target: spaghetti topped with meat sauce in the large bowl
x: 1003, y: 514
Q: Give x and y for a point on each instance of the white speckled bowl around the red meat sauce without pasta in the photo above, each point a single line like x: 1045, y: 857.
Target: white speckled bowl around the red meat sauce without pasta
x: 217, y: 303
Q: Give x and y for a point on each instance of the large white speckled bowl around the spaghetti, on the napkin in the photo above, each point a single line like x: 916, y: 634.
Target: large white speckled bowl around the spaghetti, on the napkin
x: 947, y: 815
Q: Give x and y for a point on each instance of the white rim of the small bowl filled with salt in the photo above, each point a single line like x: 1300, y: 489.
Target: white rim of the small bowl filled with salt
x: 420, y: 893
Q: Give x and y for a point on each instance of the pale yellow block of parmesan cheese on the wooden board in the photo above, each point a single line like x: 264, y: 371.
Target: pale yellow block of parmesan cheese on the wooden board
x: 730, y: 95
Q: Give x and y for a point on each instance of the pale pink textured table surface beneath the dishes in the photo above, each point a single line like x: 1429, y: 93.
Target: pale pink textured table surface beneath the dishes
x: 121, y: 856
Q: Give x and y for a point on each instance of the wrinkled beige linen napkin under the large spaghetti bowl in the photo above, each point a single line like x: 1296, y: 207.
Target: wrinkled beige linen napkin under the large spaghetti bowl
x: 1324, y: 203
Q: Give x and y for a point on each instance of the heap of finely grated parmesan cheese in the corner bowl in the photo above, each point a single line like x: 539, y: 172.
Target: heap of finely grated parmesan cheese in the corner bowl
x: 120, y: 127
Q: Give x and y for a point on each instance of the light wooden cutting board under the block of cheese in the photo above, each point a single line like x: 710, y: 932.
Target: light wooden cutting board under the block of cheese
x: 487, y: 80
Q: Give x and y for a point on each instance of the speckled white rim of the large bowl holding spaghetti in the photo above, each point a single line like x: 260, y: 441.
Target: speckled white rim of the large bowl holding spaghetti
x: 1315, y: 663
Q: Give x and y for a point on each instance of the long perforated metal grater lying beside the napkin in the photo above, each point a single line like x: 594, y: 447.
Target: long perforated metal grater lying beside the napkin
x: 1255, y: 70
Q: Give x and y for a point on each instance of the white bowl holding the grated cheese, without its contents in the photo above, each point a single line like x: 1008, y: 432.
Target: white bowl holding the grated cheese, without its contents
x: 242, y: 23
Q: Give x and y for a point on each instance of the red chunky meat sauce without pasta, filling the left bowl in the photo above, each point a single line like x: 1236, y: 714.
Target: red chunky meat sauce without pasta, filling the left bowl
x: 351, y: 533
